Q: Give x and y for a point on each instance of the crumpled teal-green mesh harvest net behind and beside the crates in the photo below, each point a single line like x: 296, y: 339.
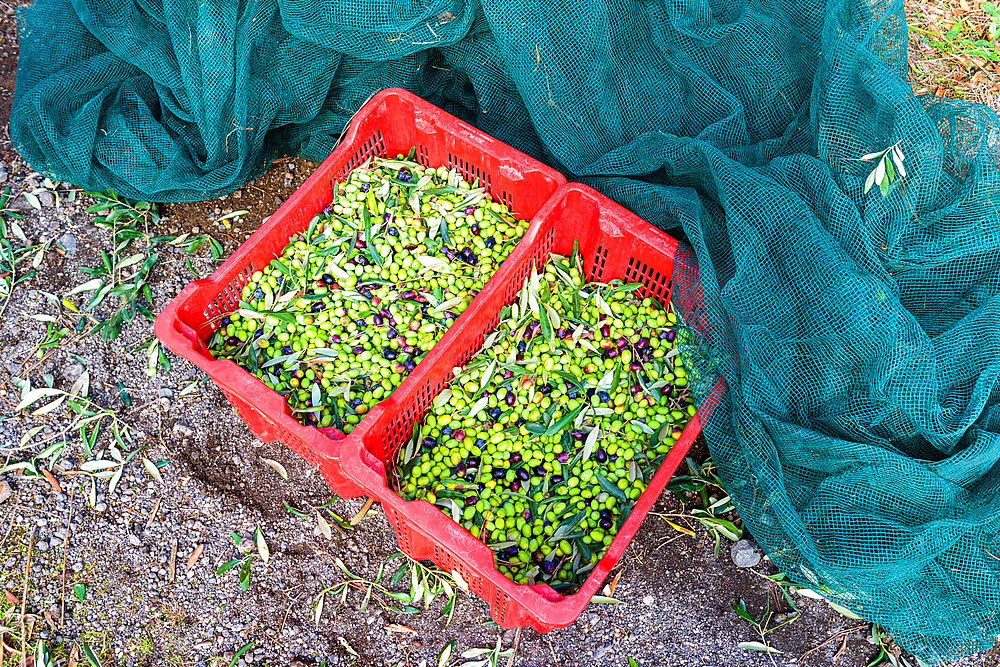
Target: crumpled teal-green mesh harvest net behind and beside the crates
x: 859, y: 333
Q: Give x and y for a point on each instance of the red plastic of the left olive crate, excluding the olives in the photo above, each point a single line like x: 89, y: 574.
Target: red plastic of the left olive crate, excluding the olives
x: 392, y: 122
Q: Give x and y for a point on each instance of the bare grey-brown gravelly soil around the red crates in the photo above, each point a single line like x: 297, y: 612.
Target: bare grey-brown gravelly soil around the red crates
x: 147, y: 554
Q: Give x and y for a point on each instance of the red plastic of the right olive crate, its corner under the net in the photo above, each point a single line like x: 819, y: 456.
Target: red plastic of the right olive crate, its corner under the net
x: 614, y: 243
